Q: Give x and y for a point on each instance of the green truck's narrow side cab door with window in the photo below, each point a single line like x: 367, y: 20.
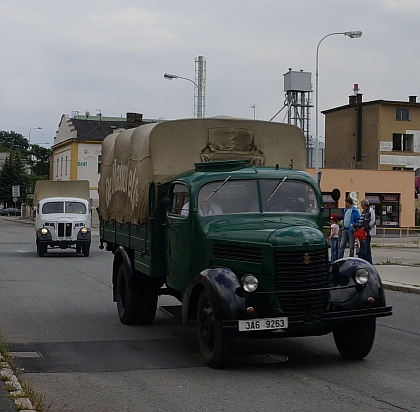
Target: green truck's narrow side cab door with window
x: 179, y: 243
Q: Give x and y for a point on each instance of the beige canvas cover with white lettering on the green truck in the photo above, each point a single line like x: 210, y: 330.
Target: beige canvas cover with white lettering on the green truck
x: 159, y: 151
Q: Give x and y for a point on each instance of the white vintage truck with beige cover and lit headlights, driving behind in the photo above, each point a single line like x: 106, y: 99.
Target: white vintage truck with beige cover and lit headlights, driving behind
x: 63, y: 216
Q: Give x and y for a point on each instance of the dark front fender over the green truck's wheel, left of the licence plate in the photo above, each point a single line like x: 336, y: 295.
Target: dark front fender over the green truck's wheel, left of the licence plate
x: 221, y: 283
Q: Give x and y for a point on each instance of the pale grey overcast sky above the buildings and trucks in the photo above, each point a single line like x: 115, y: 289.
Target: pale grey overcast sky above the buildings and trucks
x: 57, y: 57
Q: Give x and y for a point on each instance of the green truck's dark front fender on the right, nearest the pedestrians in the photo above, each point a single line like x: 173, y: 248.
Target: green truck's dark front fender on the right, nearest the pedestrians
x: 342, y: 272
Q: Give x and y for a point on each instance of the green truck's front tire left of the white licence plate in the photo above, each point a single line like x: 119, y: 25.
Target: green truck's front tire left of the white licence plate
x: 216, y: 343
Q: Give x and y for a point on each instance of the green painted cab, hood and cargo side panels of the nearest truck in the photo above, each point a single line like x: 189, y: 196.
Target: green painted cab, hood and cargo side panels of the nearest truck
x: 179, y: 247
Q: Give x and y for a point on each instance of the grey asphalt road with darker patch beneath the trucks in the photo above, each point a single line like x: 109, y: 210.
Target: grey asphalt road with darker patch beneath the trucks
x: 59, y: 311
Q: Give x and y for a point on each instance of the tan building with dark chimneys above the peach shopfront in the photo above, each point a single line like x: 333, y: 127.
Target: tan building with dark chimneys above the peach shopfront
x: 377, y: 135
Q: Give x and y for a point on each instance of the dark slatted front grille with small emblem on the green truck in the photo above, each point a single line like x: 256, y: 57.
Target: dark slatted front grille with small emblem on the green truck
x: 299, y: 271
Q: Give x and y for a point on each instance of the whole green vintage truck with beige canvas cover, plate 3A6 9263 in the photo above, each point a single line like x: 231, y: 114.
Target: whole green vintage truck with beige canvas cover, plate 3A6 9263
x: 219, y: 213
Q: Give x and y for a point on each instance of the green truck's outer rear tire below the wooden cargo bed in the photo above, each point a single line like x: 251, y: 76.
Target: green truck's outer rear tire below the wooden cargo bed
x: 127, y: 297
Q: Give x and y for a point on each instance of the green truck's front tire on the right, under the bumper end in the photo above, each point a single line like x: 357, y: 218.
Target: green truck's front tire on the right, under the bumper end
x: 354, y: 340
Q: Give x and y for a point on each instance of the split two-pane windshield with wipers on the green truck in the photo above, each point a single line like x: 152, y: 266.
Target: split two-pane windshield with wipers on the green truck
x: 244, y: 196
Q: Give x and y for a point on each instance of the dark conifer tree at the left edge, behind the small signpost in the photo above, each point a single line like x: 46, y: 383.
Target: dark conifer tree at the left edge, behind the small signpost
x: 13, y: 173
